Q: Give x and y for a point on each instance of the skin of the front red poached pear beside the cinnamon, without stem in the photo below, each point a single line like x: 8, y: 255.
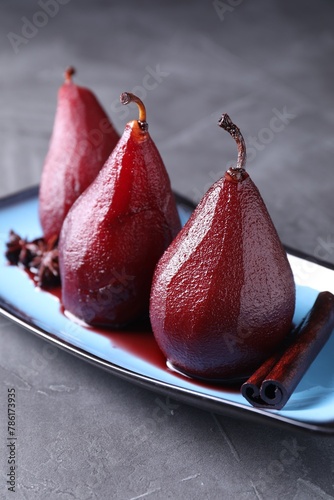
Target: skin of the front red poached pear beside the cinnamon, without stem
x: 223, y: 294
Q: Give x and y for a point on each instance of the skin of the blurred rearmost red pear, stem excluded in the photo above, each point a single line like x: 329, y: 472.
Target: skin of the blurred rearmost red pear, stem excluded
x: 81, y: 142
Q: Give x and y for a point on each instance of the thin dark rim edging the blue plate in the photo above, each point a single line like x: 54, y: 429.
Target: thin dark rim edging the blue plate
x: 188, y: 396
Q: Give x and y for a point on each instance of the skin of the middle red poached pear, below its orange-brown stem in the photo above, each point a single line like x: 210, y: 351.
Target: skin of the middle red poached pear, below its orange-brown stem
x: 115, y: 233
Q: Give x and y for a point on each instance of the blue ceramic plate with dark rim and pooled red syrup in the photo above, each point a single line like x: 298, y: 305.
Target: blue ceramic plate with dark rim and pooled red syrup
x: 134, y: 354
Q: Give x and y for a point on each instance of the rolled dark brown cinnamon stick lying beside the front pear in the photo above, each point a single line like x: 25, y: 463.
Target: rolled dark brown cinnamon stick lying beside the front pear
x: 272, y: 385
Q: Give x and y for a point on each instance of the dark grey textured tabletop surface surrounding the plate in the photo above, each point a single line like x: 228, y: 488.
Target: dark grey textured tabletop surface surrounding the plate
x: 82, y: 433
